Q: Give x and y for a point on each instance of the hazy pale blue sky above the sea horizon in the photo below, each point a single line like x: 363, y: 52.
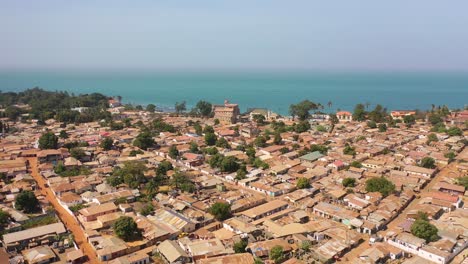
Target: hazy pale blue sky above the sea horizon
x: 357, y: 35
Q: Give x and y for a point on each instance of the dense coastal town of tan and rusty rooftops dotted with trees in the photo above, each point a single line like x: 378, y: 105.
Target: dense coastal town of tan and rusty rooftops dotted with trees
x: 217, y: 186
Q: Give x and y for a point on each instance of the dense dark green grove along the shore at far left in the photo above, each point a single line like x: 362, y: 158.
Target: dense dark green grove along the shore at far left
x: 44, y: 105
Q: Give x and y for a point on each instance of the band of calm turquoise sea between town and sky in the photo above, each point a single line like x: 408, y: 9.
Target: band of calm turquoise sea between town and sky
x: 275, y: 91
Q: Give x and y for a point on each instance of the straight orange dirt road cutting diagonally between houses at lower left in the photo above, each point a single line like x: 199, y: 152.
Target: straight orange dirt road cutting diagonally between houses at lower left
x: 66, y: 218
